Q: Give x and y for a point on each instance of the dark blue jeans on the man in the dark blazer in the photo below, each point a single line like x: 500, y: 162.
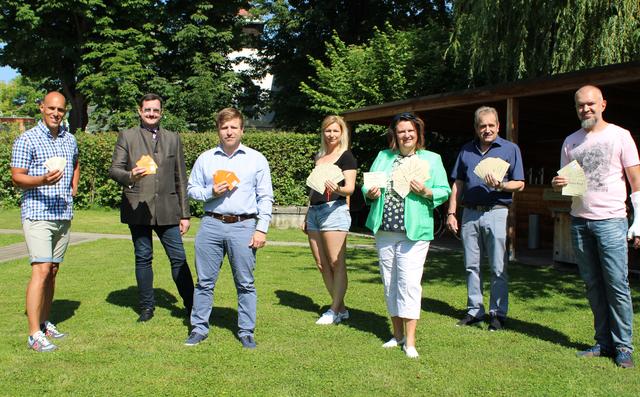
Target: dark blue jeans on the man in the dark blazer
x: 143, y: 247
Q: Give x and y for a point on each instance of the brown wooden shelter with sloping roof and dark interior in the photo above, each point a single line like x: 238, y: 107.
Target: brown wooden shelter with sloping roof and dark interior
x: 537, y: 114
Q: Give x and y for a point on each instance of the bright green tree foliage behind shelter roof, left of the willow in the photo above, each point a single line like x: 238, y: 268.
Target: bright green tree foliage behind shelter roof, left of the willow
x: 392, y: 65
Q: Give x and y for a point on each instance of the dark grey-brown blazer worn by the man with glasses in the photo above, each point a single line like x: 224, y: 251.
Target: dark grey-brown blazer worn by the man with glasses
x: 159, y: 199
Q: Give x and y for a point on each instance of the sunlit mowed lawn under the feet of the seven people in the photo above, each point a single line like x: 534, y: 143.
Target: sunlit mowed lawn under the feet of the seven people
x: 107, y: 352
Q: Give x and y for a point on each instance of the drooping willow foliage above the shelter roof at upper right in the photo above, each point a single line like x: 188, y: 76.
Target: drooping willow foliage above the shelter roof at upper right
x: 498, y: 41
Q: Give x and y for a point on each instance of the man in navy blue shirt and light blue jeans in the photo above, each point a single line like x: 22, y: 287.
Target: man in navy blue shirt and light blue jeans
x: 484, y: 219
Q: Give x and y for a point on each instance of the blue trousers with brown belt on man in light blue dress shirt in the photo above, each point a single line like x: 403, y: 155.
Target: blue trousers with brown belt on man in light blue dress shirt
x: 214, y: 240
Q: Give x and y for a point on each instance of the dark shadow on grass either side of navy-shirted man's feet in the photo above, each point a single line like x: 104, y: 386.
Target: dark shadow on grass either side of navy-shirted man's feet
x: 532, y: 330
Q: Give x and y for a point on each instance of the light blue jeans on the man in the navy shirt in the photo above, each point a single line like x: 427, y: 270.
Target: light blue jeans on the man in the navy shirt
x: 486, y: 233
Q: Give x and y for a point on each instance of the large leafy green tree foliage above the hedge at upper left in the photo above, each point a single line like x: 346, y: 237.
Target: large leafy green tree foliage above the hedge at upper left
x: 108, y: 54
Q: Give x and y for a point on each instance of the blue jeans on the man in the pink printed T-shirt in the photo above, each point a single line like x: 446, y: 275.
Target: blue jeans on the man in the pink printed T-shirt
x: 601, y: 251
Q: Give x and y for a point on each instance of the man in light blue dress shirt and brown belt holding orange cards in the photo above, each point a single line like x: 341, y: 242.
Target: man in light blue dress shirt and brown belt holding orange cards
x: 236, y: 221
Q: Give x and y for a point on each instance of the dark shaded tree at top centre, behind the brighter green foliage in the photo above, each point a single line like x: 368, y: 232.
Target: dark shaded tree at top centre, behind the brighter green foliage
x: 298, y: 29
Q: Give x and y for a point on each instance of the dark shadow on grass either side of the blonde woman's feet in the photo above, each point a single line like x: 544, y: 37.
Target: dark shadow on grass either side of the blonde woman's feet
x: 358, y: 319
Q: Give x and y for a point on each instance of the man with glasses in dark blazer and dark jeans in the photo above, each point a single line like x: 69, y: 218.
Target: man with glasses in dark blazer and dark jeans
x: 148, y: 161
